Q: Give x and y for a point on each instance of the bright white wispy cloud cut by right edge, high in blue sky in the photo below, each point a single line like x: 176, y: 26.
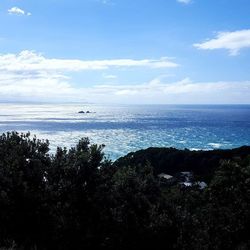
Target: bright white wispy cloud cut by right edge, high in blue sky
x: 231, y: 41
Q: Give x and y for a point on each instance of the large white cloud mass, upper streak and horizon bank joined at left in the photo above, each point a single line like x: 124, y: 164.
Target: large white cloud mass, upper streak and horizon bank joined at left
x: 31, y: 77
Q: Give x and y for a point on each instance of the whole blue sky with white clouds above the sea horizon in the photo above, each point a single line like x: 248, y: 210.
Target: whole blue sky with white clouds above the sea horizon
x: 125, y: 51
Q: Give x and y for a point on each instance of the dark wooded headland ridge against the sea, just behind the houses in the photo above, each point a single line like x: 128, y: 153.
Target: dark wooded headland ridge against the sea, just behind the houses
x: 171, y: 161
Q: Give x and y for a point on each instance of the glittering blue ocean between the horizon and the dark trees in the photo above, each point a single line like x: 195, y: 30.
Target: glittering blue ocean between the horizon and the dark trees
x: 126, y: 128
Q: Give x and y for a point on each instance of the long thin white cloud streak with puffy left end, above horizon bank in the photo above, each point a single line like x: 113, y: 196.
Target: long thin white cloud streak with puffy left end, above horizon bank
x: 27, y: 61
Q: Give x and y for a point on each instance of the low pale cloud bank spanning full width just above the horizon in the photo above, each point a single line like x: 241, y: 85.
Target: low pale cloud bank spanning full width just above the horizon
x: 57, y: 88
